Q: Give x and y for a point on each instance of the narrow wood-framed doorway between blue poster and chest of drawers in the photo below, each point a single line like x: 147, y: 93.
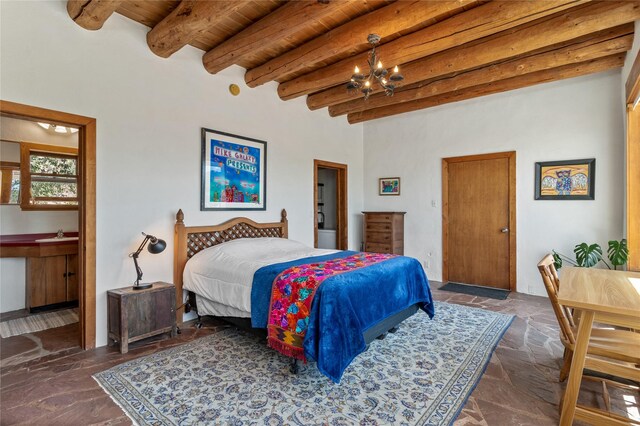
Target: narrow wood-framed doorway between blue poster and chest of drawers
x: 330, y: 205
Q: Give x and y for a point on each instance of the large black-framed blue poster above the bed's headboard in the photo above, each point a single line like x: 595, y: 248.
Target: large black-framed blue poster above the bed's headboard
x: 233, y: 172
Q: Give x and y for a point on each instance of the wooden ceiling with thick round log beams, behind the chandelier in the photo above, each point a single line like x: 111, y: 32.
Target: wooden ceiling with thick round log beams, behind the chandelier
x: 447, y: 51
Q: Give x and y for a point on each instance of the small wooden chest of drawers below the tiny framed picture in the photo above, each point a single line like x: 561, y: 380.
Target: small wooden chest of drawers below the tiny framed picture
x: 384, y: 232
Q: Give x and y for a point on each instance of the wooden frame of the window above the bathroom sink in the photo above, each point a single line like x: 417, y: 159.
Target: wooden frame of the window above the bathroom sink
x: 26, y: 151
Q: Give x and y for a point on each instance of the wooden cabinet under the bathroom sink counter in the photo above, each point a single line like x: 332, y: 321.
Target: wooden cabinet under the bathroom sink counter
x: 51, y: 280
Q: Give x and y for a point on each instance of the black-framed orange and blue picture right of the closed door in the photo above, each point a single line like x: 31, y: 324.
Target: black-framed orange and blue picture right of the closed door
x: 566, y: 180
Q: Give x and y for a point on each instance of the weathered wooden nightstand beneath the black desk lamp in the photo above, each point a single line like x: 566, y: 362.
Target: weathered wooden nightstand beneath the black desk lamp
x: 138, y: 314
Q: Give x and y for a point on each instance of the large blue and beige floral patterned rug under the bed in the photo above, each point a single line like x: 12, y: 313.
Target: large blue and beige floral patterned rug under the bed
x: 421, y: 375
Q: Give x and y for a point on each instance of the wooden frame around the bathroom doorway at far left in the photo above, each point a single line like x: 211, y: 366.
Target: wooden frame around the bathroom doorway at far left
x: 86, y: 193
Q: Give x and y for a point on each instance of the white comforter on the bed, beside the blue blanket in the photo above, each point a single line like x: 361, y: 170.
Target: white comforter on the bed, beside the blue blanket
x: 224, y: 273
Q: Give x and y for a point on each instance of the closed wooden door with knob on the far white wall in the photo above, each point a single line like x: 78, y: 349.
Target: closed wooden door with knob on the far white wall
x: 479, y: 220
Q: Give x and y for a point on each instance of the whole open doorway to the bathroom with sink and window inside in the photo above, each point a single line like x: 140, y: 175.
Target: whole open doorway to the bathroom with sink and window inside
x: 64, y: 260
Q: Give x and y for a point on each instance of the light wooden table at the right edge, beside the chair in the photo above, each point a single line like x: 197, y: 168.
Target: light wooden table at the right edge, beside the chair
x: 611, y: 297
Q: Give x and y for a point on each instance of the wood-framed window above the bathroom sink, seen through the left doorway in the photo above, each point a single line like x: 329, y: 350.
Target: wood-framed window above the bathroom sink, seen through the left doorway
x: 49, y: 177
